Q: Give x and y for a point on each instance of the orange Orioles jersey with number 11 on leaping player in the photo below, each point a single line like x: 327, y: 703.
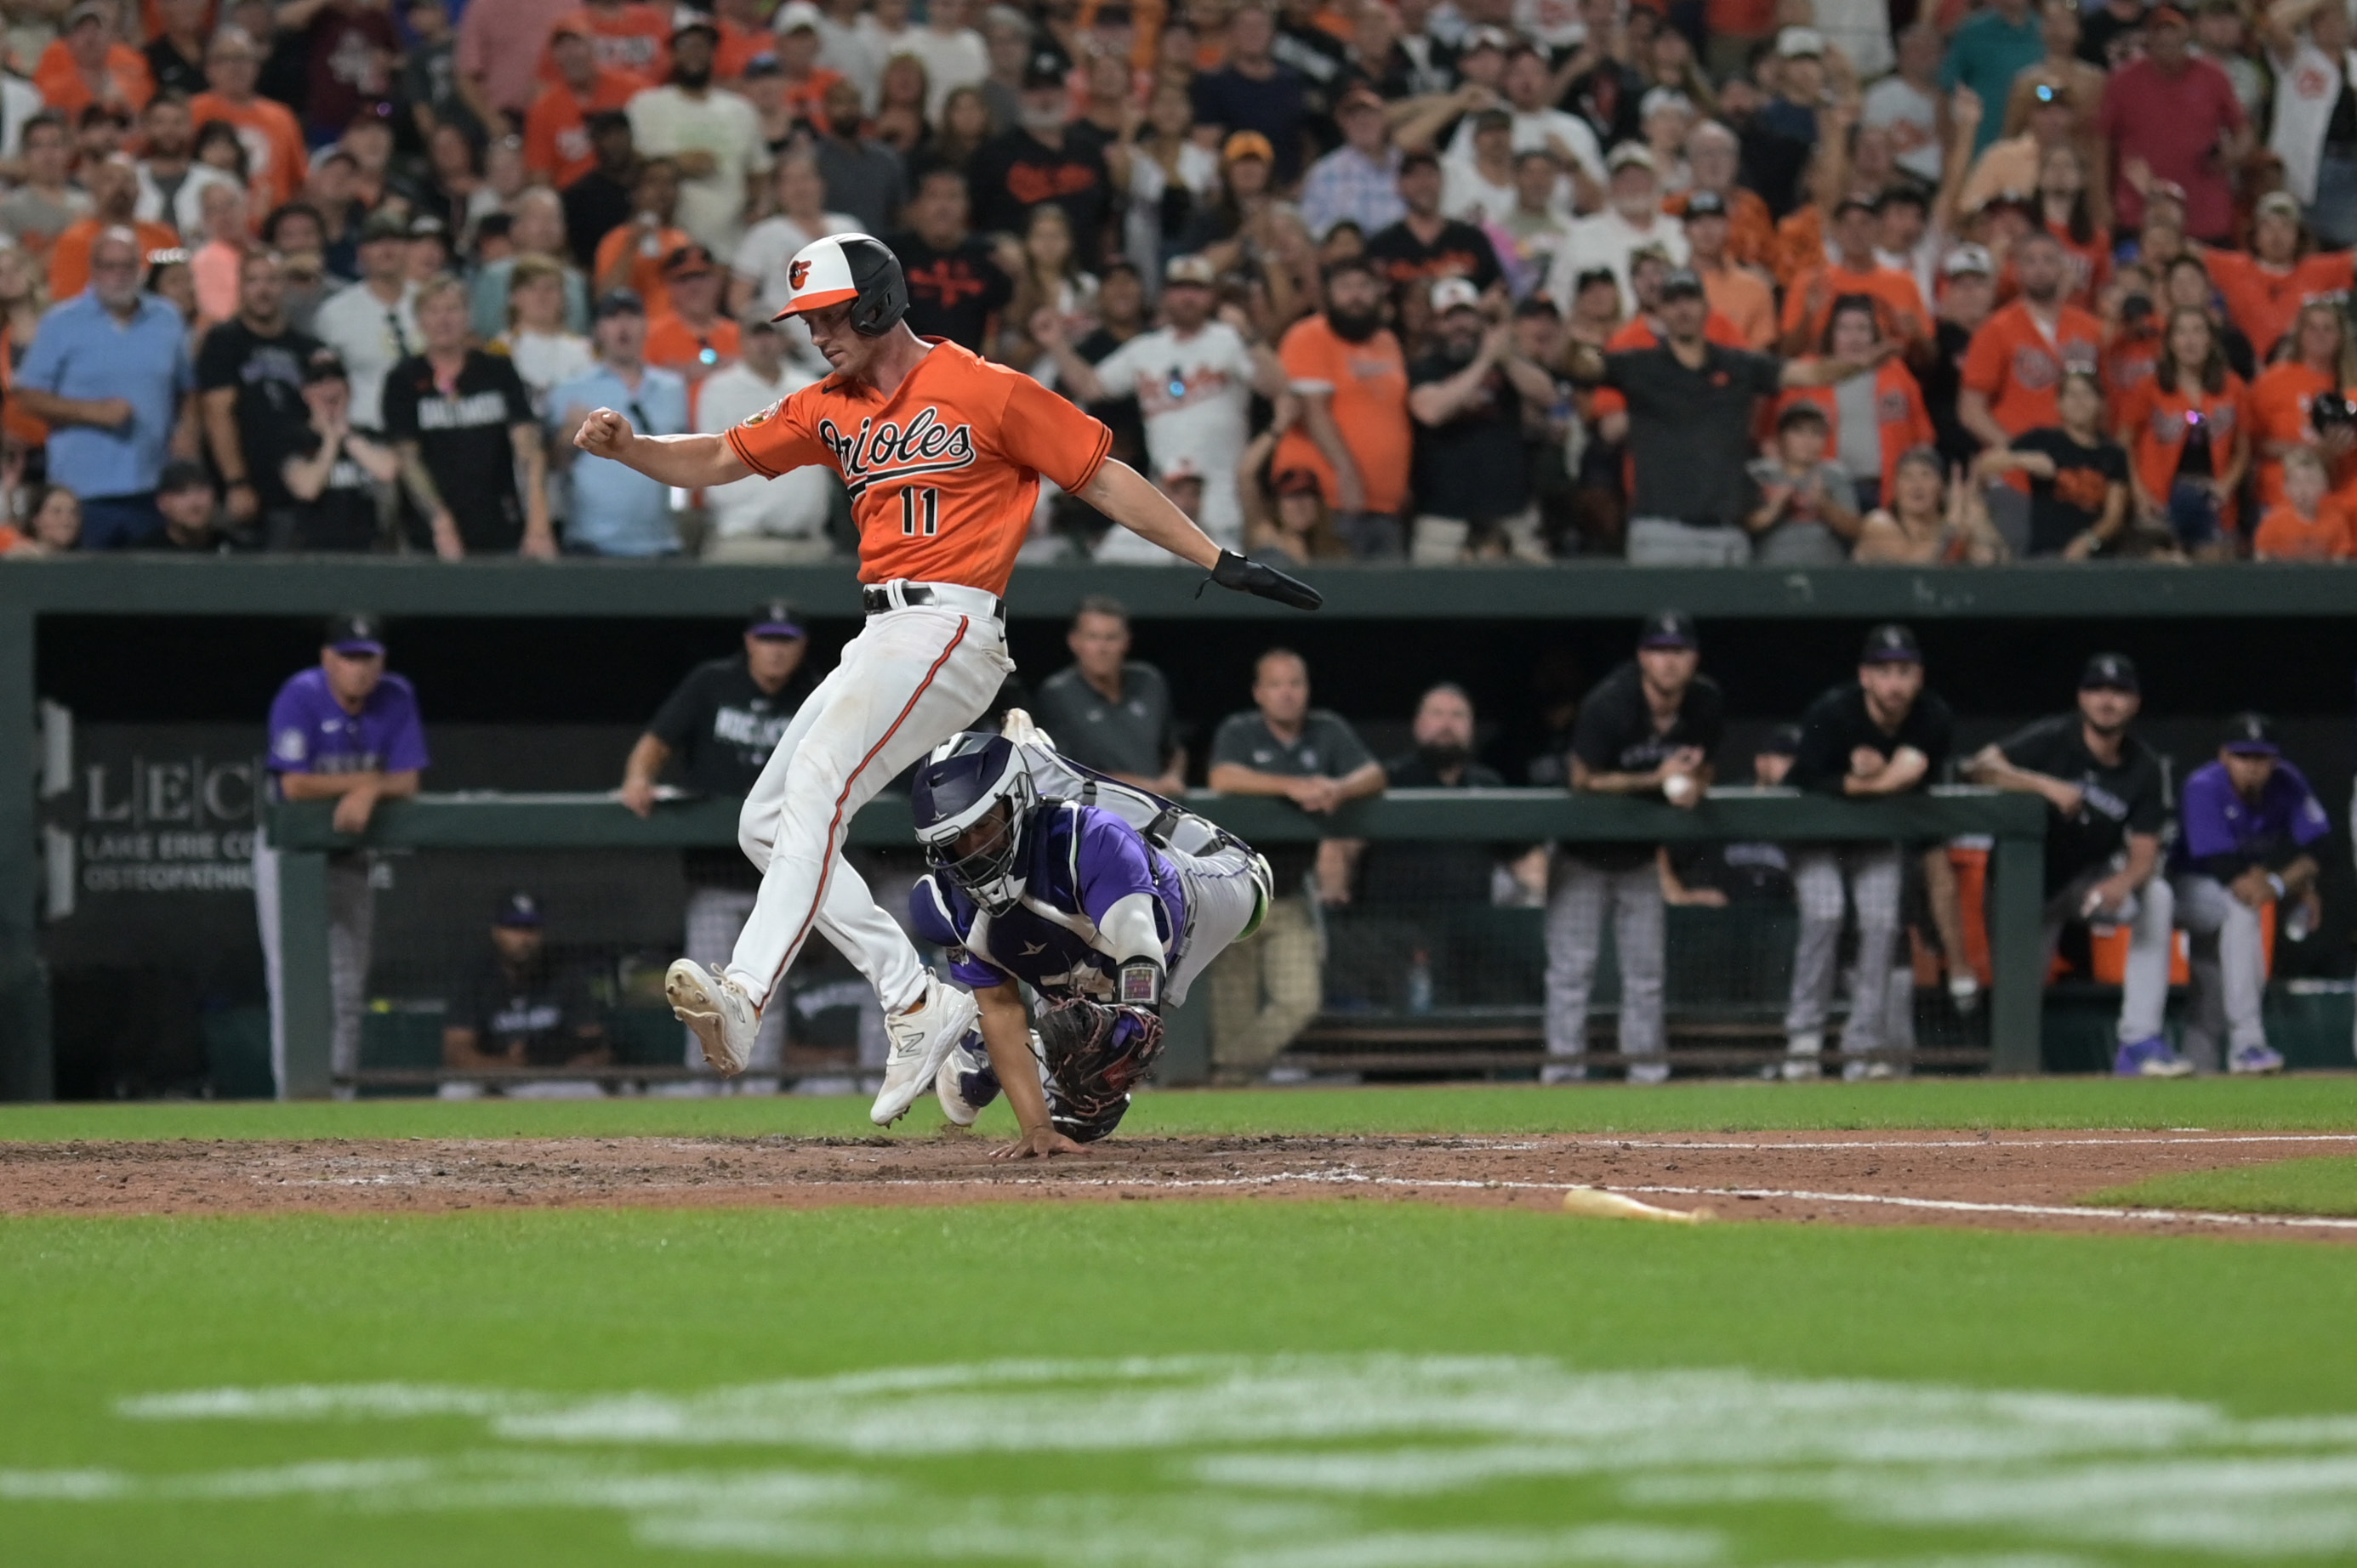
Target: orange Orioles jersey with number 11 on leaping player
x: 944, y: 473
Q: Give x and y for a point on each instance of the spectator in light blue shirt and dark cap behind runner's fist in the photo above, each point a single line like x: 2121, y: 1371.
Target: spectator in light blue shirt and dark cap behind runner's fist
x: 619, y: 510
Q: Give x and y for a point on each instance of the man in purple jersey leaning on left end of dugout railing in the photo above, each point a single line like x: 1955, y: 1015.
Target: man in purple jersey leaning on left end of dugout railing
x: 345, y: 732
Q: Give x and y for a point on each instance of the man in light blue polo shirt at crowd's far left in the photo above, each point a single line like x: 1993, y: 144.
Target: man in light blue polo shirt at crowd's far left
x: 110, y: 376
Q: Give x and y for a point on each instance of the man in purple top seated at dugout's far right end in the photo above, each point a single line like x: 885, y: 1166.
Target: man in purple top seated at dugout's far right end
x: 2247, y: 824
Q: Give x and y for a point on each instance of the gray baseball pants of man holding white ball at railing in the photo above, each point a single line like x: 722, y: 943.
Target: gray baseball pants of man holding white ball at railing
x: 1576, y: 933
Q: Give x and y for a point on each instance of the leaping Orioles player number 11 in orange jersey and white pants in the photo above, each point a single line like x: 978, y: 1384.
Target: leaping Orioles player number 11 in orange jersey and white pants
x: 942, y: 454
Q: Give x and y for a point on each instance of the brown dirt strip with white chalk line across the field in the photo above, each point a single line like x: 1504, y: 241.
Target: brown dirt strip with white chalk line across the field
x: 2023, y: 1180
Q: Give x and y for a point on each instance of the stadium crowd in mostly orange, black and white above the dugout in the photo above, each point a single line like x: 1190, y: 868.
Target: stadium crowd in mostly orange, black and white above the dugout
x: 1710, y: 282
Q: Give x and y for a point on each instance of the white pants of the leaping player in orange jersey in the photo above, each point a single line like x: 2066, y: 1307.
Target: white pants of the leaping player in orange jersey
x: 911, y: 680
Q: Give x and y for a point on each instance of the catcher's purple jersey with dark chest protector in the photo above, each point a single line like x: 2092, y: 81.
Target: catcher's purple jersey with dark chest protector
x: 1078, y: 864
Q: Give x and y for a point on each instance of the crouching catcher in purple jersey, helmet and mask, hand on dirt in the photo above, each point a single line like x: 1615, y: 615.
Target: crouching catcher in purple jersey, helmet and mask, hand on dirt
x: 1104, y: 900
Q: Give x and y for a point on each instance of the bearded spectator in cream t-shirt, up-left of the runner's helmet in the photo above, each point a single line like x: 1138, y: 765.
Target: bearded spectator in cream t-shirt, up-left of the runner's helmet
x: 715, y: 138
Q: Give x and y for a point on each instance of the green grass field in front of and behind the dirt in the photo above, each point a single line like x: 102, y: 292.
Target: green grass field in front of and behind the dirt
x: 1274, y: 1385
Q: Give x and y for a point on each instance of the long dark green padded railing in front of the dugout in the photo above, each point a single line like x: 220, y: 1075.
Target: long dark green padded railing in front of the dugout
x: 593, y: 824
